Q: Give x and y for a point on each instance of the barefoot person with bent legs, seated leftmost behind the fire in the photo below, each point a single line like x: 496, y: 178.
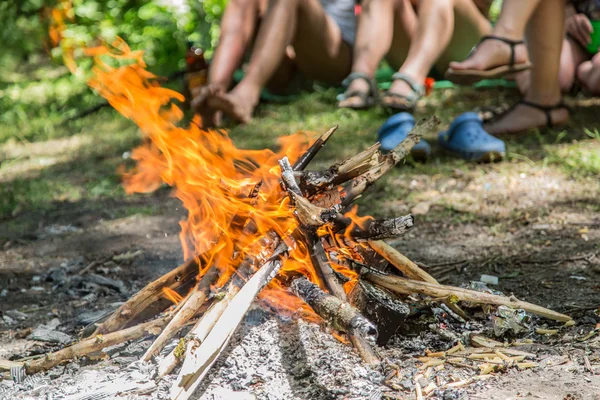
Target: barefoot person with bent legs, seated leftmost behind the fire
x: 313, y: 37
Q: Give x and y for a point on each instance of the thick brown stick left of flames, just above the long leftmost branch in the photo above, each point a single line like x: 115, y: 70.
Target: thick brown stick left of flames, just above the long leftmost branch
x: 152, y: 292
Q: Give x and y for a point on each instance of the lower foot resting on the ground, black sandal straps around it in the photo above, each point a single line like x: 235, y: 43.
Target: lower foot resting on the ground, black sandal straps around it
x: 522, y: 118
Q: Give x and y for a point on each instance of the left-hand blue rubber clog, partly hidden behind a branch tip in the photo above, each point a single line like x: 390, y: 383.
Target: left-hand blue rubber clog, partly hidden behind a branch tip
x: 395, y: 130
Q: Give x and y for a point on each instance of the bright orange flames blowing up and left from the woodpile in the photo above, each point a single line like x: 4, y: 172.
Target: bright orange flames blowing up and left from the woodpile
x: 211, y: 177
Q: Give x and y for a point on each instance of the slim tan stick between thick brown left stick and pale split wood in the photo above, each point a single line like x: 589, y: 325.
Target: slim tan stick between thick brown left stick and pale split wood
x: 188, y: 309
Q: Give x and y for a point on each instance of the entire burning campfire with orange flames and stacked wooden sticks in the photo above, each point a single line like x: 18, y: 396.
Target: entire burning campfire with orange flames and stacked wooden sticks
x: 261, y: 224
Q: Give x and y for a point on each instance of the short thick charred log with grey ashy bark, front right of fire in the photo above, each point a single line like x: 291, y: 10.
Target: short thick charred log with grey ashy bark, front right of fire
x: 340, y: 315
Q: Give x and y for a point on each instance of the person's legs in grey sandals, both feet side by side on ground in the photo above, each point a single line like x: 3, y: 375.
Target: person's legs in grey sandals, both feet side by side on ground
x: 414, y: 36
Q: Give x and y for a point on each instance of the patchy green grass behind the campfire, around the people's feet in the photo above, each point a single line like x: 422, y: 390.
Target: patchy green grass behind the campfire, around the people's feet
x: 34, y: 110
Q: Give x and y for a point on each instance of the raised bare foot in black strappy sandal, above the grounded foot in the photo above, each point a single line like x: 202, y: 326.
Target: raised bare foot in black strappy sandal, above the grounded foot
x: 490, y: 54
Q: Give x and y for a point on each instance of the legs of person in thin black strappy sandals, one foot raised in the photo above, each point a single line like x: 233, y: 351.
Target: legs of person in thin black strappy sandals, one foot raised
x: 542, y: 23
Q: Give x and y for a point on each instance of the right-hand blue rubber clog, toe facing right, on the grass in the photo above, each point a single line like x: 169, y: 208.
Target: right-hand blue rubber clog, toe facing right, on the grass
x: 466, y: 138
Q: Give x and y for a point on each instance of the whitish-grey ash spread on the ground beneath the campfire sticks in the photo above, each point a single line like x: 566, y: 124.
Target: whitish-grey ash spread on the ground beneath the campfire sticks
x: 268, y: 358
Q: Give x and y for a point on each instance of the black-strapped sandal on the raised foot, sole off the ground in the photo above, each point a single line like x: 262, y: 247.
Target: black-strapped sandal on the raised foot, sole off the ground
x: 470, y: 76
